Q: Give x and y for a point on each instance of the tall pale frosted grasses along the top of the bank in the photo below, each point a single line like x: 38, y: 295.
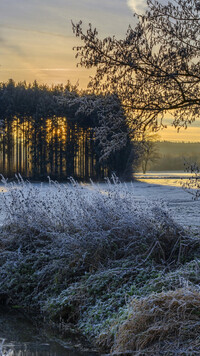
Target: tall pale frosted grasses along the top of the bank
x: 103, y: 222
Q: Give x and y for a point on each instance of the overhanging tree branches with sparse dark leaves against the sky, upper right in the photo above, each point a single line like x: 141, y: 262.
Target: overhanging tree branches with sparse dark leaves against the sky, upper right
x: 155, y: 69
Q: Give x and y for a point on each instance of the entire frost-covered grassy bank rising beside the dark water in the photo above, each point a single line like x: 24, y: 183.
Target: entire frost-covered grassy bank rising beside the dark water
x: 119, y: 271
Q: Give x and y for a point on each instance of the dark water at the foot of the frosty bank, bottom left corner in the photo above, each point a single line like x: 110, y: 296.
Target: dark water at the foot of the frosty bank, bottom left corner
x: 20, y: 337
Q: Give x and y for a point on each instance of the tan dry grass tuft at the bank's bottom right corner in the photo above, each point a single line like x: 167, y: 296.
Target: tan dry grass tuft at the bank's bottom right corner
x: 162, y: 324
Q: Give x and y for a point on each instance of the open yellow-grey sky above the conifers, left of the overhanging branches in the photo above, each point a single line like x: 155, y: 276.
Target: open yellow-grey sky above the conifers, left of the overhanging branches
x: 36, y: 37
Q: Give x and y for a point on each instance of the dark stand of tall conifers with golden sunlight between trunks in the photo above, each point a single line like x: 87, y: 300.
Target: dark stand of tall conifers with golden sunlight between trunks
x: 59, y: 132
